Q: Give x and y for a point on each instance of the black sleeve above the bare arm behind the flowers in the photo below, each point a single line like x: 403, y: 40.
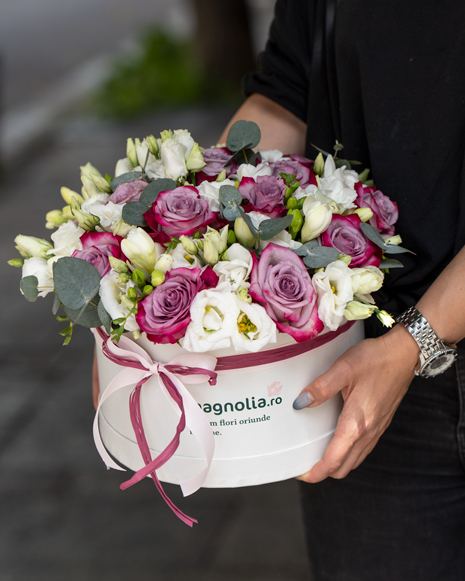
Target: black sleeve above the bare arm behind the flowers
x: 284, y: 65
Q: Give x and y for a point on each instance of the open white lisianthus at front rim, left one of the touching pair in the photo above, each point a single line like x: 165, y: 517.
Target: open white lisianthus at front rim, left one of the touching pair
x: 214, y: 314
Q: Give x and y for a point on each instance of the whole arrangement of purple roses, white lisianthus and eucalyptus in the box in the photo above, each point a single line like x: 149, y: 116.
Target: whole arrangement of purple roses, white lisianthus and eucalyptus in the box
x: 215, y: 248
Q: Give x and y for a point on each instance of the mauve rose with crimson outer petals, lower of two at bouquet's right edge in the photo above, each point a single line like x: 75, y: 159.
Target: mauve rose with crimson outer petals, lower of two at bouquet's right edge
x: 344, y: 234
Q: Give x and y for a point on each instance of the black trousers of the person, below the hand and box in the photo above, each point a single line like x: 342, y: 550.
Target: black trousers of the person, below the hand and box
x: 400, y: 516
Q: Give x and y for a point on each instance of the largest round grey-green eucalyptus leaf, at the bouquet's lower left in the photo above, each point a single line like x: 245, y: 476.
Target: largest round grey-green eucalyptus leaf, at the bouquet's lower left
x: 76, y: 282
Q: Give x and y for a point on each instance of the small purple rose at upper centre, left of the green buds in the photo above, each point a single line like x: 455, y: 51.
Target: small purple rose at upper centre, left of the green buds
x: 265, y: 195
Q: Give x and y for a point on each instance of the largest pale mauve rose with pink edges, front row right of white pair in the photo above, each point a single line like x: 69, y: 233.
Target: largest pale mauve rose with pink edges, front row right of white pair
x: 281, y: 281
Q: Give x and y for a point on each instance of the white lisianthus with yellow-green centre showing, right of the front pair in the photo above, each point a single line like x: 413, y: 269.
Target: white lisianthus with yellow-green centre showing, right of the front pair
x: 255, y: 328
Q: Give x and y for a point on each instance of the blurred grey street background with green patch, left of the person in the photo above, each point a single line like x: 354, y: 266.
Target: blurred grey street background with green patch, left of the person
x: 76, y: 79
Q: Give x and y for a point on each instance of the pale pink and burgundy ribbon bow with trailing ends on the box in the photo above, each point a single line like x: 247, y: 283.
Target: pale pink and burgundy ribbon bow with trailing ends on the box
x: 138, y: 368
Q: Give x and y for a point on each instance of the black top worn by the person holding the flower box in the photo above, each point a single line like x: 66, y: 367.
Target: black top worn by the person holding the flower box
x: 400, y: 71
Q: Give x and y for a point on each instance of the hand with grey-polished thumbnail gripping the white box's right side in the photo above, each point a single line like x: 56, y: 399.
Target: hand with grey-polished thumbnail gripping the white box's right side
x: 373, y: 377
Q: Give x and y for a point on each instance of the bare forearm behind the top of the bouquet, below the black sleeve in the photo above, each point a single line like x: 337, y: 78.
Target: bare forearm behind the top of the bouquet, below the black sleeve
x: 280, y: 128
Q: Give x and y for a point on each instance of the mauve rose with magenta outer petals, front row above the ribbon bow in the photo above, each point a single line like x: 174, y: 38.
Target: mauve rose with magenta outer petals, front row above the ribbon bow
x: 165, y: 313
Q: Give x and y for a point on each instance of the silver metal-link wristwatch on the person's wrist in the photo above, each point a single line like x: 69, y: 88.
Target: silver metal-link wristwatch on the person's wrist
x: 435, y: 355
